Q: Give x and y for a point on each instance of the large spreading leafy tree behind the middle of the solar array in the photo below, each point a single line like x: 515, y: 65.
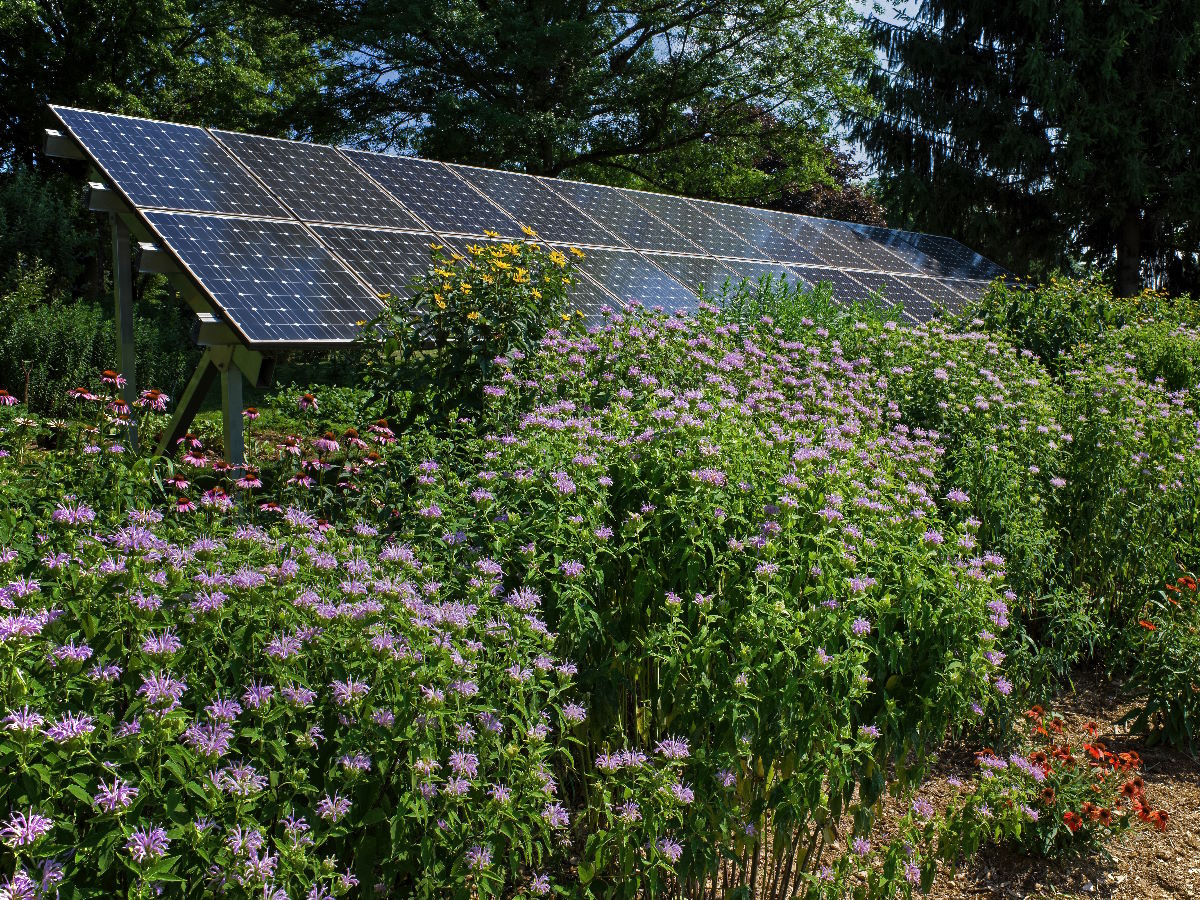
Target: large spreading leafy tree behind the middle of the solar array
x: 604, y: 88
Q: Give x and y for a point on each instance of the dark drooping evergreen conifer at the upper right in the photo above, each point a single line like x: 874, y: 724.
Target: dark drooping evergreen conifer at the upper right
x: 1041, y: 131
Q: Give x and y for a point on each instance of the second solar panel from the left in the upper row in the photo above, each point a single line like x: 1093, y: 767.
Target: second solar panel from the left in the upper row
x: 317, y: 183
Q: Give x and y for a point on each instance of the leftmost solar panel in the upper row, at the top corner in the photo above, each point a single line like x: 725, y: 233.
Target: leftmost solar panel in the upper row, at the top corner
x: 166, y: 166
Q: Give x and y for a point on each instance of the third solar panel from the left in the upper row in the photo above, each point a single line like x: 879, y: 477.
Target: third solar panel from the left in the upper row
x: 442, y: 200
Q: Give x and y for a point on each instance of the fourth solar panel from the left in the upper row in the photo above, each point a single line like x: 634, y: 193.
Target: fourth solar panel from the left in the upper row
x: 536, y: 206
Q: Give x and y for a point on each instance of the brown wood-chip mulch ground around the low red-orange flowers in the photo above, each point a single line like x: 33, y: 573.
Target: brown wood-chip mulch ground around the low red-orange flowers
x: 1143, y: 865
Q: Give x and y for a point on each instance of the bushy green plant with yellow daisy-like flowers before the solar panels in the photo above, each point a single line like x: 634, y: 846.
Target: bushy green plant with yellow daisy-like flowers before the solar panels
x: 431, y: 355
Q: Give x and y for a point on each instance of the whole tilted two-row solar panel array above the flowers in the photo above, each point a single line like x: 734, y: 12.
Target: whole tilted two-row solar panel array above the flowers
x: 296, y: 243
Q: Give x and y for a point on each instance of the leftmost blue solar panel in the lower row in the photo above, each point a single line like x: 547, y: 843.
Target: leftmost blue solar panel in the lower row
x: 273, y: 280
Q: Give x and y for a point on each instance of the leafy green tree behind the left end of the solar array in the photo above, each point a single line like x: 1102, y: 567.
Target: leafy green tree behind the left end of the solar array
x: 219, y: 63
